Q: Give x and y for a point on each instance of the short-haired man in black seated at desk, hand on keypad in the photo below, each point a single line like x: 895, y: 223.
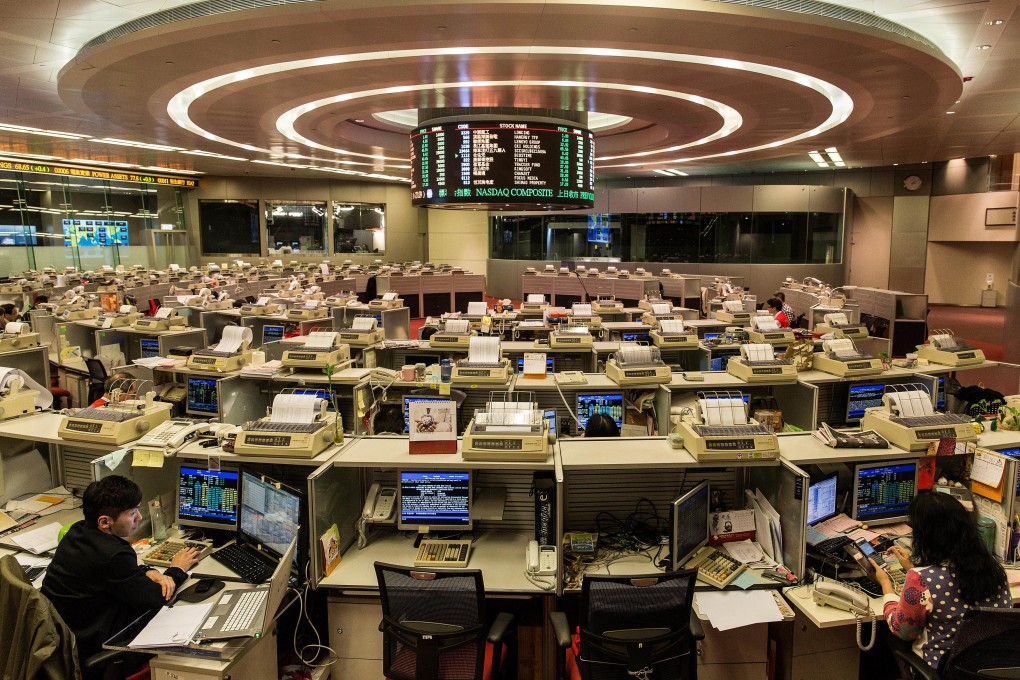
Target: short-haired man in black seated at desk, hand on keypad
x: 94, y: 581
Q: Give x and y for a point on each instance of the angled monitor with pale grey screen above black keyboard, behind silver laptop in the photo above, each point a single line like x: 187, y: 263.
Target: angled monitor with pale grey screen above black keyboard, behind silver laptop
x: 270, y: 515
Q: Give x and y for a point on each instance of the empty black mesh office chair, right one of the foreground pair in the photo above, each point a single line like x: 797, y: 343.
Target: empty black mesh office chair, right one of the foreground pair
x: 633, y: 627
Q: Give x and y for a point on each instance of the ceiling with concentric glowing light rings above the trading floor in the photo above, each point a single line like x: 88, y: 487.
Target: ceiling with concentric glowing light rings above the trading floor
x: 694, y: 87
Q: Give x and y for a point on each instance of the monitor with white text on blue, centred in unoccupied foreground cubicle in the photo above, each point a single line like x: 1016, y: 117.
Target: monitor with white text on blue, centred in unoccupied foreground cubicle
x: 434, y: 501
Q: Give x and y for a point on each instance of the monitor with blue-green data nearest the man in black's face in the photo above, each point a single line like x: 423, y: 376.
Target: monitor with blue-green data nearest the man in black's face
x: 208, y: 499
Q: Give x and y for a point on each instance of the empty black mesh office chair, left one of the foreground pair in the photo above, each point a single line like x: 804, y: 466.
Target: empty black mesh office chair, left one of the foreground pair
x: 434, y: 625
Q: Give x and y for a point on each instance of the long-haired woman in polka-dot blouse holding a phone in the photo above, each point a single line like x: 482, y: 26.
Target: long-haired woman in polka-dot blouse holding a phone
x: 955, y: 571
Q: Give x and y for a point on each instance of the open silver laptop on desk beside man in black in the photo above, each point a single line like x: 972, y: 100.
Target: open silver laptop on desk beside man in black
x: 248, y: 612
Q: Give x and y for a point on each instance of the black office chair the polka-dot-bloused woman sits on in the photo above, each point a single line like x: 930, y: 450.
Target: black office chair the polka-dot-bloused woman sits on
x: 985, y: 649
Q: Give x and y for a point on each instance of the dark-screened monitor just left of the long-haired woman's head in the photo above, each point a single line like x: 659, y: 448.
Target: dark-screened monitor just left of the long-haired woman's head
x: 883, y: 491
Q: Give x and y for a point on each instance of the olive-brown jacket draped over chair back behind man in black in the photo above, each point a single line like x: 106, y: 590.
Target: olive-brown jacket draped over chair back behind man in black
x: 37, y: 644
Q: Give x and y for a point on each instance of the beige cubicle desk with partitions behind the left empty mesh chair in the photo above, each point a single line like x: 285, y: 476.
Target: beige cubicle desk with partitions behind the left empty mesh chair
x: 503, y: 513
